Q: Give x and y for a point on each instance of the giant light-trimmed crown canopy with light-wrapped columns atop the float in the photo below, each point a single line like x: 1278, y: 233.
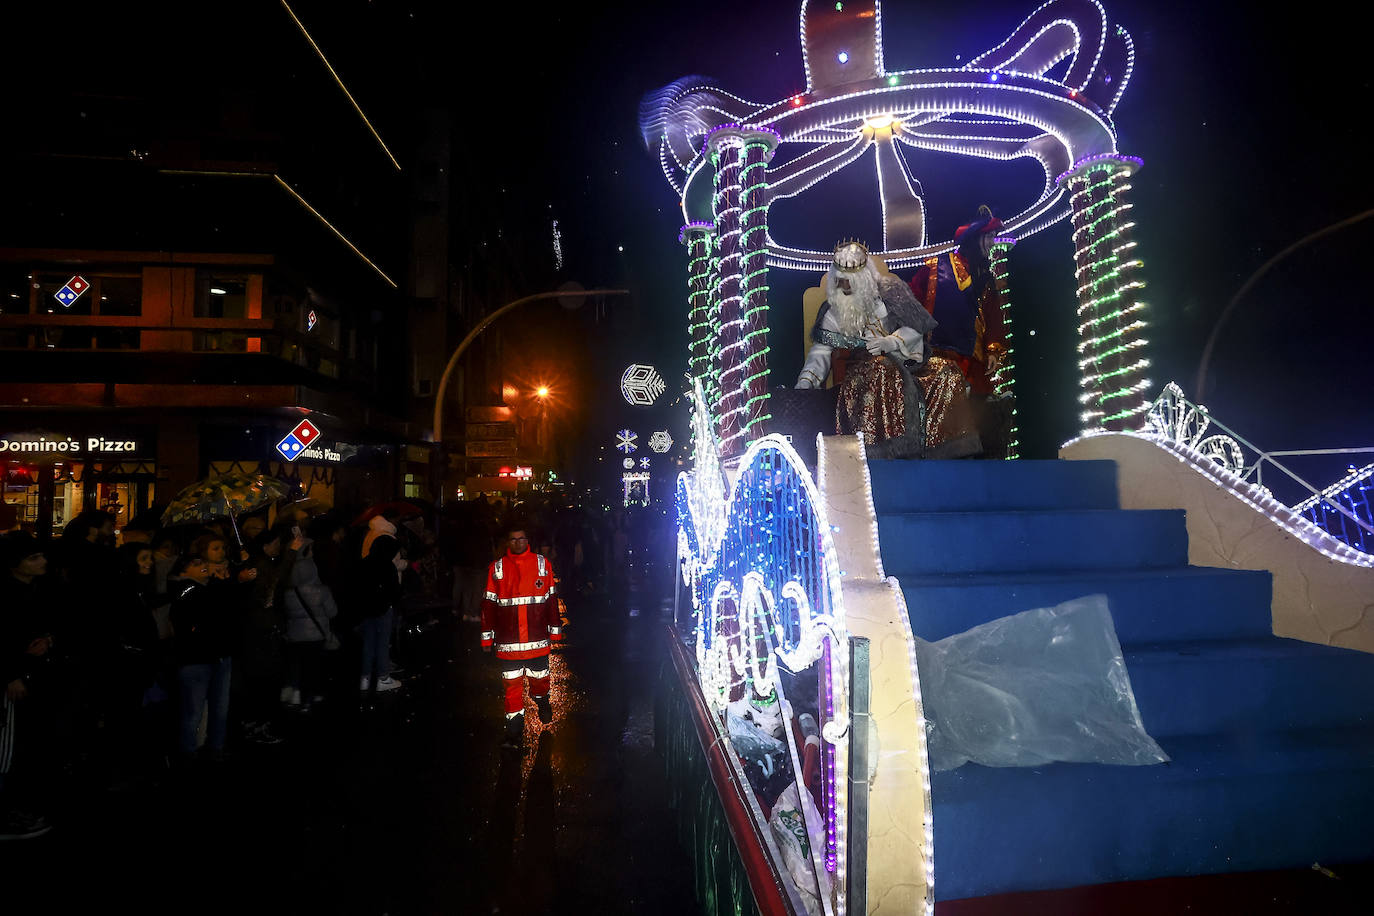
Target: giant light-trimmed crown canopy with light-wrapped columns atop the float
x: 1048, y: 93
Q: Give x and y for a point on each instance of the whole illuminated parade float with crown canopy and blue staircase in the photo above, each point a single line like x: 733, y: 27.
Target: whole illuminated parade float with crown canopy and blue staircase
x: 811, y: 771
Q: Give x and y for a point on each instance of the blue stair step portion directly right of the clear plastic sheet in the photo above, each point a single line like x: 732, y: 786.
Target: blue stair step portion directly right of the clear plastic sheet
x: 1250, y: 686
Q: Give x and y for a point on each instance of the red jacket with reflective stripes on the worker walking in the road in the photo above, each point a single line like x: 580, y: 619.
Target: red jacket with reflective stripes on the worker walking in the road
x: 520, y: 615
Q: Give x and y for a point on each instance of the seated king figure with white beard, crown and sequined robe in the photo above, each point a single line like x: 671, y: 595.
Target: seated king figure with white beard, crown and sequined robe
x: 872, y: 334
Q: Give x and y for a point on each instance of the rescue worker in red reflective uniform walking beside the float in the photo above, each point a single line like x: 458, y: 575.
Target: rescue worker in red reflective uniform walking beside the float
x: 520, y: 621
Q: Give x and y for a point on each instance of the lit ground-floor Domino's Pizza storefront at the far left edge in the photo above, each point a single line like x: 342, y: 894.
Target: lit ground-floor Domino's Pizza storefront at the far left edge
x: 54, y: 473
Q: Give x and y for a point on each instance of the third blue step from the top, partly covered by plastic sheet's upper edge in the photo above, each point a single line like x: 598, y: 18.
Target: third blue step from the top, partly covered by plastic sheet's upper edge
x: 1148, y: 606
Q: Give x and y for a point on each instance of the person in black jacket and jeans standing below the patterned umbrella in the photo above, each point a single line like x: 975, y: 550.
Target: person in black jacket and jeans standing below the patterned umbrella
x: 205, y: 627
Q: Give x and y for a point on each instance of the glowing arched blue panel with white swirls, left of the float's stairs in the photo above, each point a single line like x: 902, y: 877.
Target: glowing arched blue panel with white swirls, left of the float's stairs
x: 761, y: 561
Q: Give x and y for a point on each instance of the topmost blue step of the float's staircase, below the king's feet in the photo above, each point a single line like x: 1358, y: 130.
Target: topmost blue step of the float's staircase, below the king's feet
x: 945, y: 487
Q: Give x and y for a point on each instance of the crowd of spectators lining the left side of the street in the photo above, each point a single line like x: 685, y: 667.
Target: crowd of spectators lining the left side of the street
x: 139, y: 664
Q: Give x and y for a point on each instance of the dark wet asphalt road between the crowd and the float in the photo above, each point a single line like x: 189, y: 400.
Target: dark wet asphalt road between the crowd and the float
x: 410, y: 807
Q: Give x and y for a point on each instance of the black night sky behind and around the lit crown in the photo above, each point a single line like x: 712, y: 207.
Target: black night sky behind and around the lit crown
x: 1248, y: 124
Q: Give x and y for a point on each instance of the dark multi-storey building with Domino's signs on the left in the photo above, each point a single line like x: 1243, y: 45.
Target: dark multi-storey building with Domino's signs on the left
x: 205, y: 242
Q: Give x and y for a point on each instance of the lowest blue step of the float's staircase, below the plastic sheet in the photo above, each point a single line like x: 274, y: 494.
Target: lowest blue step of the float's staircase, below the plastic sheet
x: 1225, y: 804
